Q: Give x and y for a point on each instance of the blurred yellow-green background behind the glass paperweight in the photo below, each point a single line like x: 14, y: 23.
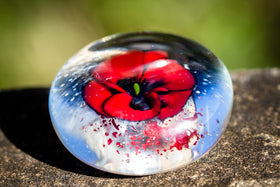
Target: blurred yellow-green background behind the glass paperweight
x: 37, y: 37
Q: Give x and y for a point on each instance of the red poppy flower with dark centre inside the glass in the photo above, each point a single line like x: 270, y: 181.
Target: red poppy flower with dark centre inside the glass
x: 138, y: 86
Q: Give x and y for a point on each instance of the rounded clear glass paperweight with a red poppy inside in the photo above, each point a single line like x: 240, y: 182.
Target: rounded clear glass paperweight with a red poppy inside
x: 141, y: 103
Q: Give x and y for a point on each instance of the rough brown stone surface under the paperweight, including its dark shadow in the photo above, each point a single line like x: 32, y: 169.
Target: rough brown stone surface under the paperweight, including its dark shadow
x: 247, y: 154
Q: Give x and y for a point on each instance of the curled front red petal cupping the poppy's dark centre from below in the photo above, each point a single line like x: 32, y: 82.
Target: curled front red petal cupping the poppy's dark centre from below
x: 118, y: 106
